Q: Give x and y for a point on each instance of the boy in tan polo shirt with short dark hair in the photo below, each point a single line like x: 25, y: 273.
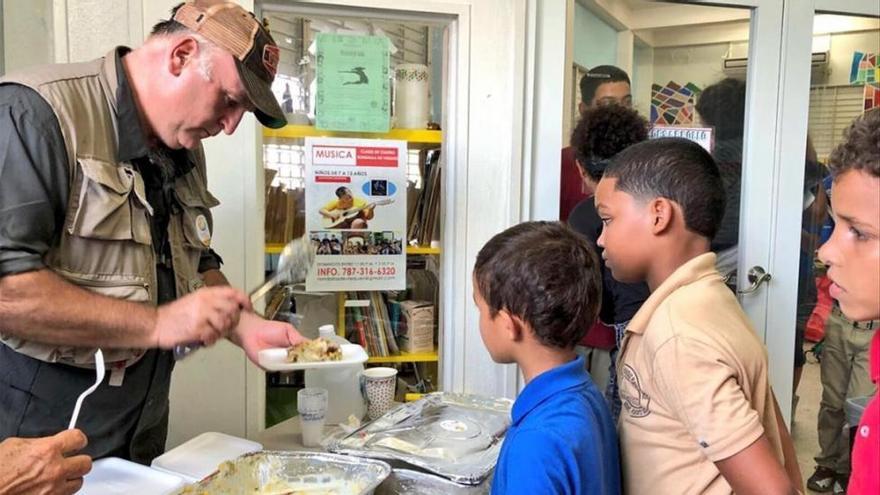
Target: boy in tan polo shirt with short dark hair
x: 698, y: 414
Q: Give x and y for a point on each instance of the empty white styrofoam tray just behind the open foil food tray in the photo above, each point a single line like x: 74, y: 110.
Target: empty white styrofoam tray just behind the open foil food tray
x: 200, y: 456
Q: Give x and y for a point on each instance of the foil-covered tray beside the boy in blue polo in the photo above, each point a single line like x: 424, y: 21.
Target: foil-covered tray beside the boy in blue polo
x: 456, y: 436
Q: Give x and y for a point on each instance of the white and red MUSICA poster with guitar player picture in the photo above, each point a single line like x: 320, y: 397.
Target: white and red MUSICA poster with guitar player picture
x: 356, y: 213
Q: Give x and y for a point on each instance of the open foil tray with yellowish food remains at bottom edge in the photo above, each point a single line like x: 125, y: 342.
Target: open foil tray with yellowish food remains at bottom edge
x: 283, y: 473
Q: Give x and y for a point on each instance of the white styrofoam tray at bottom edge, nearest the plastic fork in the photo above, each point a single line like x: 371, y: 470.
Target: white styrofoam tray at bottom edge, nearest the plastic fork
x: 112, y: 476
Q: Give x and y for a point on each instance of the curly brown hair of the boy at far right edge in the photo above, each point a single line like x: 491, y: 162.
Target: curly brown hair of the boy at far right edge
x: 861, y: 148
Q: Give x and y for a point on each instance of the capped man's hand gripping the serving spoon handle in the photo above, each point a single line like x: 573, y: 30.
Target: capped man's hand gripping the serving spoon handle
x: 203, y: 316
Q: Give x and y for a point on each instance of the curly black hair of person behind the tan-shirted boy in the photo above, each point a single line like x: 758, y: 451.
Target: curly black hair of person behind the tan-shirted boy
x: 603, y: 132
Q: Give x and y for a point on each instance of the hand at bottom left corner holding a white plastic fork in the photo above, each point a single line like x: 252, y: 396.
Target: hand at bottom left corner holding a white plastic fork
x: 47, y: 465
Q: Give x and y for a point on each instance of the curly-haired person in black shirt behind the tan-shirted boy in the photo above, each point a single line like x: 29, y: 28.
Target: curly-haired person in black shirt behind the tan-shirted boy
x: 601, y: 133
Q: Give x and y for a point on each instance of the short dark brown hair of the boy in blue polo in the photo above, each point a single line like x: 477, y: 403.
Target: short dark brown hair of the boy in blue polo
x: 545, y: 274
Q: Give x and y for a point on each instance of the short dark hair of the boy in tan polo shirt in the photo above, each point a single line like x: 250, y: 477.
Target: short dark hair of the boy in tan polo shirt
x: 678, y: 170
